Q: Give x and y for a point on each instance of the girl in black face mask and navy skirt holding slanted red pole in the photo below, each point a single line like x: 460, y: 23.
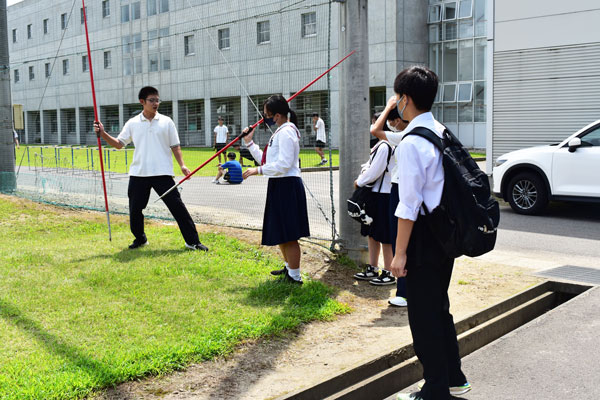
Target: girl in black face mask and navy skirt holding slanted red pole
x: 286, y: 217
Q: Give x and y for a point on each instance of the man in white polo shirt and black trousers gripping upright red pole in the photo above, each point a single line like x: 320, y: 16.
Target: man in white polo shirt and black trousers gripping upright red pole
x: 154, y: 136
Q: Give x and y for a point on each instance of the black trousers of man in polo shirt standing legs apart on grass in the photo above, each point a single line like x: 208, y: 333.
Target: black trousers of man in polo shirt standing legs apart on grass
x: 139, y: 194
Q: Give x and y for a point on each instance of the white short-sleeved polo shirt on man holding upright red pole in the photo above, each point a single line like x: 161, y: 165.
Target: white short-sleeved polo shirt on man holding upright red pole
x: 153, y: 141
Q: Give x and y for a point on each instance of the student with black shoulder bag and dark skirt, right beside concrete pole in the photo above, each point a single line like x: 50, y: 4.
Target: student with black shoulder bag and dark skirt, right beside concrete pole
x: 376, y: 174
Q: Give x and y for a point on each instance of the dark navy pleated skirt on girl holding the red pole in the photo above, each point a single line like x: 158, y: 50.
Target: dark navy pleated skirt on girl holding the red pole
x: 286, y: 216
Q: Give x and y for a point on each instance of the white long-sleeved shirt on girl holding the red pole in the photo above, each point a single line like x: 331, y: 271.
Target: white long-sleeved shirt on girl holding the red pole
x: 282, y: 154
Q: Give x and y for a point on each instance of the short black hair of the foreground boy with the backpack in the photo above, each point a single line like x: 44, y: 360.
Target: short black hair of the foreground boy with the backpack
x: 420, y: 83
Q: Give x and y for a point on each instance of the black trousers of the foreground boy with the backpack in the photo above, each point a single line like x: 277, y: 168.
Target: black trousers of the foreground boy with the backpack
x: 431, y: 324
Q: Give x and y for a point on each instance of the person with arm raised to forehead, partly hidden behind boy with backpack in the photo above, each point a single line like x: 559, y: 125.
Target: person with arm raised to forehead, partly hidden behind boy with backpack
x: 389, y: 126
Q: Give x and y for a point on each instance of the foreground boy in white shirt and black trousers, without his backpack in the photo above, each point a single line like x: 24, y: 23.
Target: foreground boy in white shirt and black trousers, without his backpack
x: 419, y: 256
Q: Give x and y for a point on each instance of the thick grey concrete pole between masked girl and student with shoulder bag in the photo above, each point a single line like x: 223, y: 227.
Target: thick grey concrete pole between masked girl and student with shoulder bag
x: 354, y: 118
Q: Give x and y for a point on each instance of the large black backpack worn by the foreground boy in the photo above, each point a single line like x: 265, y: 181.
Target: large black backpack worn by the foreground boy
x: 467, y: 219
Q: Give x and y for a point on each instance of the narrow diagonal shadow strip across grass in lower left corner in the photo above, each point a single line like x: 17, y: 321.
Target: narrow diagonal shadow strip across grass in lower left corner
x: 54, y: 344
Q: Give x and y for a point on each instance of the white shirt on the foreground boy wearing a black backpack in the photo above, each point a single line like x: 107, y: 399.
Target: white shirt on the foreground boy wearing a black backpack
x: 420, y: 170
